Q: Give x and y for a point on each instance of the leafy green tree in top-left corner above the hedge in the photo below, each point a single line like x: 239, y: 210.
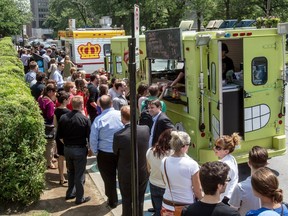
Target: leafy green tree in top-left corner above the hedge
x: 13, y: 16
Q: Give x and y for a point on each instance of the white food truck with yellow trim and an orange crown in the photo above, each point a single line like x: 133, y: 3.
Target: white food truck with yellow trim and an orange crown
x: 88, y: 47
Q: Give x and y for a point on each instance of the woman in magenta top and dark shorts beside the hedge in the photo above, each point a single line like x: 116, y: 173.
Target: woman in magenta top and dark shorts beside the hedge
x: 47, y: 106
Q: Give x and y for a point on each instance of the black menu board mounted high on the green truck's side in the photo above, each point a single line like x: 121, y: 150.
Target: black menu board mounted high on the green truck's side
x: 164, y: 44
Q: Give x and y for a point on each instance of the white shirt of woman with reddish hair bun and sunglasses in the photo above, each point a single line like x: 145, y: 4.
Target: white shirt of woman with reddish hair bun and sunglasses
x: 233, y: 174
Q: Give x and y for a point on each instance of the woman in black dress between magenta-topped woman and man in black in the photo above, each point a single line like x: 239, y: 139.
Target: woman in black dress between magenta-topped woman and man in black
x: 63, y: 99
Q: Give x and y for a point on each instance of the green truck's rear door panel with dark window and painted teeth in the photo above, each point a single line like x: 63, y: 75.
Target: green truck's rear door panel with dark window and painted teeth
x: 262, y: 65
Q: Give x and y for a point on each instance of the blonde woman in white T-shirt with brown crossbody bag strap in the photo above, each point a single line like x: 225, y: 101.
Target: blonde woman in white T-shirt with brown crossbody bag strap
x: 181, y: 175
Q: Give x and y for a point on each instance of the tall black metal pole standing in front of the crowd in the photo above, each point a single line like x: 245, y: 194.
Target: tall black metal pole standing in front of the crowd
x: 133, y: 108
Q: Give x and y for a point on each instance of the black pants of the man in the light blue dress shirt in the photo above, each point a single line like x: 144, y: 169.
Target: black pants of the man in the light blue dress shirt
x: 107, y: 165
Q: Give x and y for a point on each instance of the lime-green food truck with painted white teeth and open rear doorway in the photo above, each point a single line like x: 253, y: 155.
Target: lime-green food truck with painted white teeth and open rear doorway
x: 250, y: 100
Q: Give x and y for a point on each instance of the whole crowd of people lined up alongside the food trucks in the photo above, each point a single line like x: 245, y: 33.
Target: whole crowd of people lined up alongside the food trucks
x: 93, y: 118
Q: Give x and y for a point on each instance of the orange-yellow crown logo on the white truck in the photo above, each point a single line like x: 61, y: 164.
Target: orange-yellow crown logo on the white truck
x: 89, y: 51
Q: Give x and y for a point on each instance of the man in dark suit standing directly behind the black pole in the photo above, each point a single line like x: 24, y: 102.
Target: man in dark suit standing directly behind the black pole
x: 121, y: 147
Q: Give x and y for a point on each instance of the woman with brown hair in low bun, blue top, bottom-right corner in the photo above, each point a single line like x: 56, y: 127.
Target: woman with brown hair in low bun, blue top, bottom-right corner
x: 266, y: 186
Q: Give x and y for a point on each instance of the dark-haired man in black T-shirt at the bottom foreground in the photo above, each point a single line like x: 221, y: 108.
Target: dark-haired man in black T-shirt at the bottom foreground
x: 214, y: 179
